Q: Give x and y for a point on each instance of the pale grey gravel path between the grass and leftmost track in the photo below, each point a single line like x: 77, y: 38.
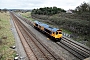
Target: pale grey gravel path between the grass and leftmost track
x: 19, y: 48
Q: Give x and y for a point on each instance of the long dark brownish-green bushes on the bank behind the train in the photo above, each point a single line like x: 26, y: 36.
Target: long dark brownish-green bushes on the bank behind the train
x: 75, y: 25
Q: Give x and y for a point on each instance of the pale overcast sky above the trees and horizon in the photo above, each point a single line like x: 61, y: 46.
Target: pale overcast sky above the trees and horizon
x: 31, y: 4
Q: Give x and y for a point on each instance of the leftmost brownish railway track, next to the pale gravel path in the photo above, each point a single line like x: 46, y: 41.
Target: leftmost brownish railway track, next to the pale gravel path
x: 27, y: 49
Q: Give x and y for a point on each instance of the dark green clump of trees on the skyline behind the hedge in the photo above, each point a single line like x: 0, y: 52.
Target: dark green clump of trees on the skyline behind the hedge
x: 47, y: 11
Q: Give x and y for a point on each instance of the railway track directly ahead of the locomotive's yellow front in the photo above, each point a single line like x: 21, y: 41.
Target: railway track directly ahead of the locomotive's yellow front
x: 73, y: 50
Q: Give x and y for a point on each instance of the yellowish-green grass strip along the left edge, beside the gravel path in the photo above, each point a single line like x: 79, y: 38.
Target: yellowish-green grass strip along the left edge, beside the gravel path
x: 5, y: 50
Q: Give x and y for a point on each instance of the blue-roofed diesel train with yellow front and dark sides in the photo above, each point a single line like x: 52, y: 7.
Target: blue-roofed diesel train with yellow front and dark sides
x: 54, y: 33
